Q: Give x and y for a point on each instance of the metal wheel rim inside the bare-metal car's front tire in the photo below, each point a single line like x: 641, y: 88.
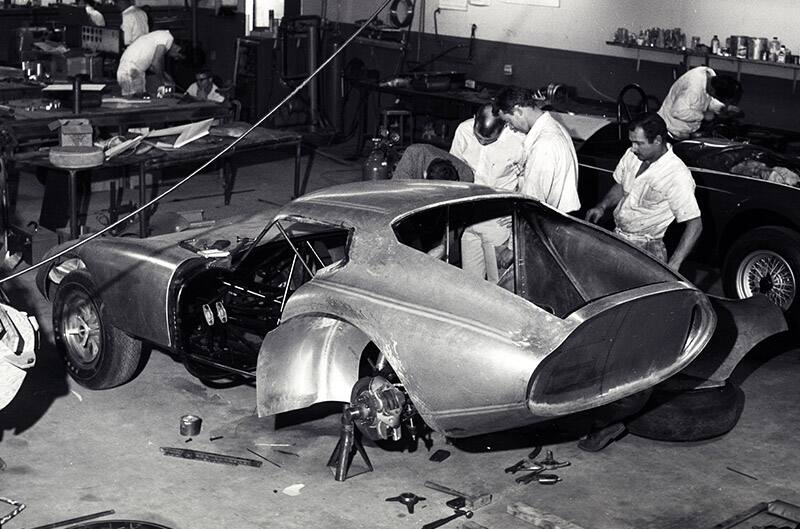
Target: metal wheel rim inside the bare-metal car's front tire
x: 82, y: 329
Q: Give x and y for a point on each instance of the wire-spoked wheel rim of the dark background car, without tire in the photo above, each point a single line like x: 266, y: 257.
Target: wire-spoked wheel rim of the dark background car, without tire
x: 766, y: 272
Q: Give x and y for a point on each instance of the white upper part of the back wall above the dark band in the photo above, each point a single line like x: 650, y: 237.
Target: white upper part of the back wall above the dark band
x: 585, y: 25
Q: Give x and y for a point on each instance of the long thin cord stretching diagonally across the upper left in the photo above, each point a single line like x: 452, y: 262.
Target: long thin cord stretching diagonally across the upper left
x: 132, y: 214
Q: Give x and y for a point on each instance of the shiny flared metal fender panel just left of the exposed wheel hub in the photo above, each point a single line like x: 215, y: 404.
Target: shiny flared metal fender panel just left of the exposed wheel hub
x: 308, y: 359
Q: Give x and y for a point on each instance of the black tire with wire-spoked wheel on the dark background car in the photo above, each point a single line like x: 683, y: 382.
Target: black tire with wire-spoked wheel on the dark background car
x: 766, y: 260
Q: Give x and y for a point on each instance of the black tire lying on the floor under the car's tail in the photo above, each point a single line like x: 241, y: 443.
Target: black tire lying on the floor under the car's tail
x: 689, y: 415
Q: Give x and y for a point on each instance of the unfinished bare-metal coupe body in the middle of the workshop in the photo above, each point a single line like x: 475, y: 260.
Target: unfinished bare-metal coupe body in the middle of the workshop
x: 579, y: 319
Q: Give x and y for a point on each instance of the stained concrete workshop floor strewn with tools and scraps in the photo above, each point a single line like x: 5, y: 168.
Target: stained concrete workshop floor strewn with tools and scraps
x: 71, y: 451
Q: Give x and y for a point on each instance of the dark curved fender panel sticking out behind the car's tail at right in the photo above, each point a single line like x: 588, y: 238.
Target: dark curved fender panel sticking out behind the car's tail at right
x: 741, y: 325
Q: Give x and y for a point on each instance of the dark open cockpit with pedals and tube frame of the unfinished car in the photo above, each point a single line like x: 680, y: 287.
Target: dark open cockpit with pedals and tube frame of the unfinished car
x: 222, y: 315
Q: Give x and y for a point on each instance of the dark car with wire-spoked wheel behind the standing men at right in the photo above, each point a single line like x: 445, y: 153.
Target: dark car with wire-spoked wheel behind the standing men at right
x: 751, y: 218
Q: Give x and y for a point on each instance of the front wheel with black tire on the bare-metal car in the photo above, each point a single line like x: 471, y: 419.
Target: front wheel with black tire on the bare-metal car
x: 97, y: 354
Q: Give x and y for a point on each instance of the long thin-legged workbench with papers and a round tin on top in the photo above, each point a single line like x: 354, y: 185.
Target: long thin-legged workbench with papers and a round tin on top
x: 197, y: 152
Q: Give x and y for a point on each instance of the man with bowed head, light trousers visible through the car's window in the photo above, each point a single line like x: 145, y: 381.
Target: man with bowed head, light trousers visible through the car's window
x: 494, y: 153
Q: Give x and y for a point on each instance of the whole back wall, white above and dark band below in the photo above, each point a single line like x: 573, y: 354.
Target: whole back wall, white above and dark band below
x: 537, y: 61
